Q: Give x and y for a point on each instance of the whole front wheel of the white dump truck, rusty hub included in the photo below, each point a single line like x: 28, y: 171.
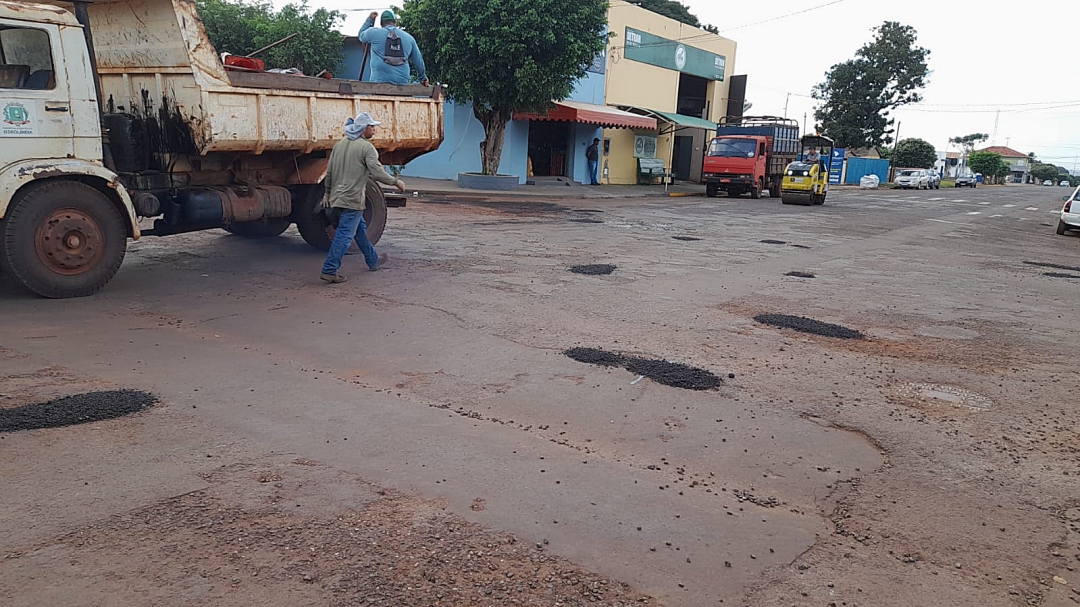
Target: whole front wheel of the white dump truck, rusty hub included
x: 63, y: 239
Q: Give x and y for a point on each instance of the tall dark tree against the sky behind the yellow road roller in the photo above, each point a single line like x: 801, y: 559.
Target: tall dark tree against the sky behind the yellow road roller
x: 859, y: 95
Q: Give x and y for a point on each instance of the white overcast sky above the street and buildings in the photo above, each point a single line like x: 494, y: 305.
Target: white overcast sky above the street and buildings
x: 1021, y: 59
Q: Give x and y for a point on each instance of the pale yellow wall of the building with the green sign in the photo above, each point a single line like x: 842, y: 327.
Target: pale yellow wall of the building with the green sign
x: 644, y: 86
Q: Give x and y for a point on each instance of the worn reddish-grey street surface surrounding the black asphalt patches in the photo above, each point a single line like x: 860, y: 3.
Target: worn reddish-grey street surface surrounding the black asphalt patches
x: 417, y: 437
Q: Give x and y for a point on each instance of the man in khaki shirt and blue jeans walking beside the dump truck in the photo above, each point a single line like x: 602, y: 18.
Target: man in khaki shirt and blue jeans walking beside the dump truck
x: 354, y: 161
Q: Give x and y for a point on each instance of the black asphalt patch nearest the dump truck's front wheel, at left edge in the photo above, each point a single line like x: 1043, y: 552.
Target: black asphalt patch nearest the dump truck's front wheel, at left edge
x: 78, y: 409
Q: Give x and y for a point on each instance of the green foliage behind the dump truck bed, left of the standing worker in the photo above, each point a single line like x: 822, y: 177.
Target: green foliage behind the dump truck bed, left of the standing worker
x: 240, y: 29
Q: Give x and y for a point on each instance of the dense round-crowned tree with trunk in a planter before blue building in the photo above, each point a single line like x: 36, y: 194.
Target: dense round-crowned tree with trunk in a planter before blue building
x: 507, y: 56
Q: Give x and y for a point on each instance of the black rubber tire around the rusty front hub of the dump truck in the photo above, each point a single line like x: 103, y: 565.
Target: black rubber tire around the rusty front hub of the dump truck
x: 29, y: 214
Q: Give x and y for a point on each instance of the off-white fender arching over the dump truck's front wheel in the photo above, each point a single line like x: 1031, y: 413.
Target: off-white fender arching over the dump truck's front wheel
x: 19, y: 176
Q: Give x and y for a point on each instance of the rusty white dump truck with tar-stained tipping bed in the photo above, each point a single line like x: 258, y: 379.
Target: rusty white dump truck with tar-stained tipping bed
x: 121, y: 122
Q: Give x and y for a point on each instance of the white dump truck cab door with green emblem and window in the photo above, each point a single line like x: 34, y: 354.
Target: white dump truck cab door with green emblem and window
x: 35, y: 106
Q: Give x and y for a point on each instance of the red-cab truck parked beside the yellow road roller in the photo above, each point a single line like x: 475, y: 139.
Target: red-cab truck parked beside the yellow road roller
x: 750, y: 155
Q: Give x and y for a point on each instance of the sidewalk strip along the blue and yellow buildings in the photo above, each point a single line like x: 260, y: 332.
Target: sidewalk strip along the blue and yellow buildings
x: 549, y: 190
